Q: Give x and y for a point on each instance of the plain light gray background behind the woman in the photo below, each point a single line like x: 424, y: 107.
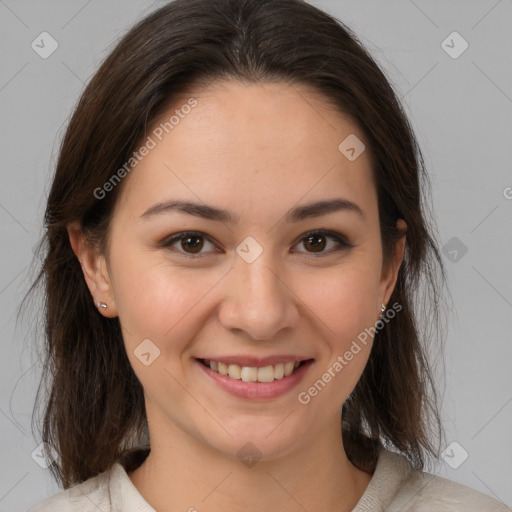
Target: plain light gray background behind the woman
x: 462, y: 112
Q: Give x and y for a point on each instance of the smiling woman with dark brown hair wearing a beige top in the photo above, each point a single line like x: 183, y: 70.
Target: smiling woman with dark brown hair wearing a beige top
x: 237, y: 236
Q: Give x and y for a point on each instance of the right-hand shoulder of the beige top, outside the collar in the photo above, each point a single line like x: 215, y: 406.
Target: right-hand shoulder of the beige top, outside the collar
x: 423, y: 492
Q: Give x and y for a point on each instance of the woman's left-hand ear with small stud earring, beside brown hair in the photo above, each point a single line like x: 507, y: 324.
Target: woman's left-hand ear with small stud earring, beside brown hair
x: 94, y: 267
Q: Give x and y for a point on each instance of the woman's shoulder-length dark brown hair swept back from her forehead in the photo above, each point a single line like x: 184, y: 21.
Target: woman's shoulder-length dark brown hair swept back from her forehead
x: 94, y: 412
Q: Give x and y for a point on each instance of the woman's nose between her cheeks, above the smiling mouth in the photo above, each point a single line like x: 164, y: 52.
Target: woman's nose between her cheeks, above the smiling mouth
x: 258, y: 302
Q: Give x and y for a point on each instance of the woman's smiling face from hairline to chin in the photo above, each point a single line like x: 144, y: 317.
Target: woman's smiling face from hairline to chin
x: 253, y: 277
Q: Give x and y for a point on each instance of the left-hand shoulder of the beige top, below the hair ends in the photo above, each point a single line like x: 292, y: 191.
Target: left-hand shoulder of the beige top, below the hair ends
x: 89, y: 496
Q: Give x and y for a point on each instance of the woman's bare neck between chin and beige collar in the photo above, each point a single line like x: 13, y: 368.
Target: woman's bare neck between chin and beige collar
x: 184, y: 473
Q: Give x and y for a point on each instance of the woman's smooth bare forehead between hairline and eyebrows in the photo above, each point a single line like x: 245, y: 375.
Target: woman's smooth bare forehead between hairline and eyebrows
x: 249, y: 145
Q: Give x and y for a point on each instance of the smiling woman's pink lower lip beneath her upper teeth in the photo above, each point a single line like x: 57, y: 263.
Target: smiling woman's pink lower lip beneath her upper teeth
x: 256, y: 390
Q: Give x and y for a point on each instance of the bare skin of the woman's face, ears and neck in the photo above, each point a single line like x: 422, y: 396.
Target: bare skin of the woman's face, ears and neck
x: 257, y: 151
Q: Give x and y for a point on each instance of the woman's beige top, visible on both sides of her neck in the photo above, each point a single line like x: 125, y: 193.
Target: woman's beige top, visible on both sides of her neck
x: 395, y: 487
